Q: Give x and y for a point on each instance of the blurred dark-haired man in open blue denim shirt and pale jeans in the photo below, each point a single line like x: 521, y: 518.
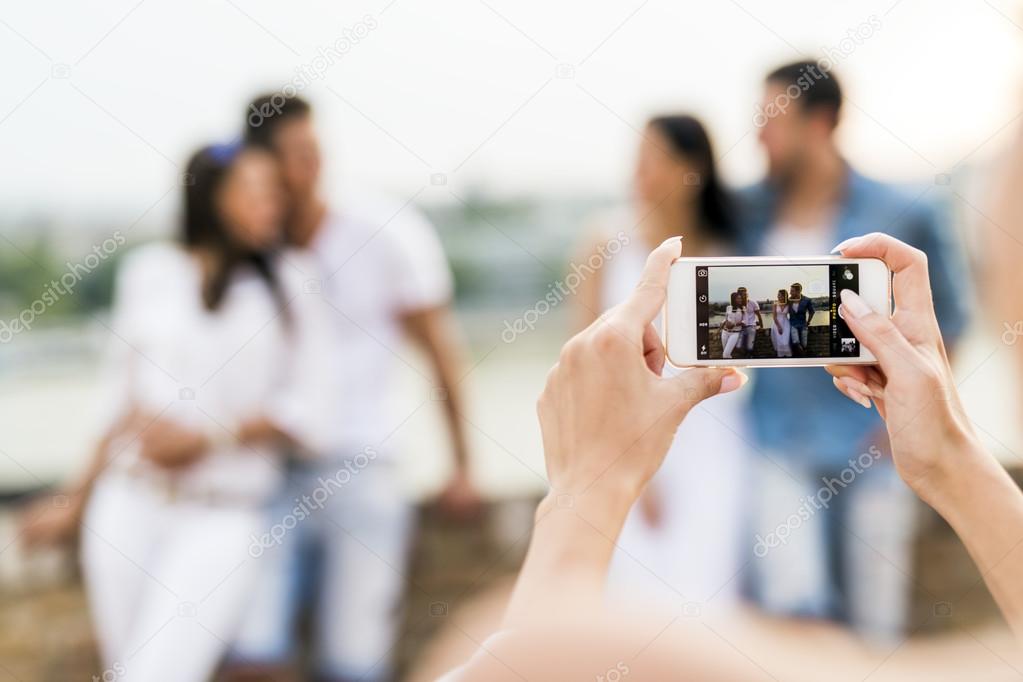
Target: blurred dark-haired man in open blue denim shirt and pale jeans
x: 832, y: 535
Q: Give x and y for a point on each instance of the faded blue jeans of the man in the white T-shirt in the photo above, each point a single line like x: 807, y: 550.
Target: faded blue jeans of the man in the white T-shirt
x: 341, y: 549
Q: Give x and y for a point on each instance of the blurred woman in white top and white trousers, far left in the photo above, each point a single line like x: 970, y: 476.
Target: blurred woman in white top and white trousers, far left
x: 218, y: 367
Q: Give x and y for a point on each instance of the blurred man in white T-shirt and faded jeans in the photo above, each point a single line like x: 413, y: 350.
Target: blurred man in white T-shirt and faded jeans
x: 383, y: 276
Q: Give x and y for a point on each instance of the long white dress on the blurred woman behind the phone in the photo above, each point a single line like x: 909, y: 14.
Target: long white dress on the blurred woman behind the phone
x: 694, y: 558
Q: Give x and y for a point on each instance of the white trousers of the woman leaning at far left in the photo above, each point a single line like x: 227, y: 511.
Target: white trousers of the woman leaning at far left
x: 167, y: 581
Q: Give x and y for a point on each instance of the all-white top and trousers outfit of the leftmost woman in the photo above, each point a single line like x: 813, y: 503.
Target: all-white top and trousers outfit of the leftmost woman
x: 167, y: 558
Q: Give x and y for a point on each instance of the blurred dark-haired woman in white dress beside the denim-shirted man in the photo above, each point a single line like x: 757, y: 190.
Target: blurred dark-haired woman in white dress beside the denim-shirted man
x: 672, y: 547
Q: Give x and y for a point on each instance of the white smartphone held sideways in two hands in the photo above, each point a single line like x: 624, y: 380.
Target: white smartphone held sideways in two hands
x: 770, y: 312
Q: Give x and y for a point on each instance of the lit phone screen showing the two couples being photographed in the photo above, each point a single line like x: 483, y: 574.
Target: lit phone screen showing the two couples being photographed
x: 774, y: 311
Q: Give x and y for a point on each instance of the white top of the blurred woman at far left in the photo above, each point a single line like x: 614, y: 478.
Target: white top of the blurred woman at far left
x: 213, y: 370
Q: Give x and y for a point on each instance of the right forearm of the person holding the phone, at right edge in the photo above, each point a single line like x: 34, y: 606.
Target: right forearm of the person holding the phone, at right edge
x: 985, y: 507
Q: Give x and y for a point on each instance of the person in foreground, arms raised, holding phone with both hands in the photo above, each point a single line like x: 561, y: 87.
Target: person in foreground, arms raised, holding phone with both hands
x: 556, y: 627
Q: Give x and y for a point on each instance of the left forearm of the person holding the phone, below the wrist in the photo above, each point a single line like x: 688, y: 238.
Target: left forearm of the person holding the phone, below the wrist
x: 567, y: 565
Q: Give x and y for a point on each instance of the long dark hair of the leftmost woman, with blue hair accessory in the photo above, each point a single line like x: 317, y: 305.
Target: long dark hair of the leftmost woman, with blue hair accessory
x: 204, y: 229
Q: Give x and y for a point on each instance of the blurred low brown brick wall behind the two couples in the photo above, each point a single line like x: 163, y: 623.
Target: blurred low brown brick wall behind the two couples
x: 46, y: 632
